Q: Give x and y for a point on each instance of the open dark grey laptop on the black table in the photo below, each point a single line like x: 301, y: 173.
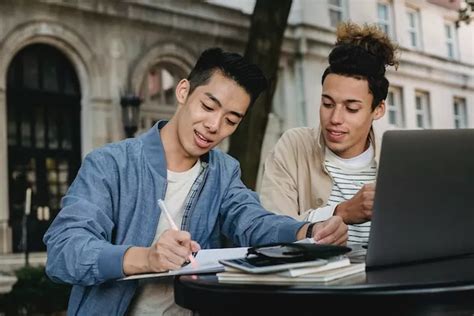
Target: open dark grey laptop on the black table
x: 424, y: 199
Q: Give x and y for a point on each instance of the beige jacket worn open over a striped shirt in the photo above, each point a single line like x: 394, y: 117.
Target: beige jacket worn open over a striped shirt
x: 295, y: 180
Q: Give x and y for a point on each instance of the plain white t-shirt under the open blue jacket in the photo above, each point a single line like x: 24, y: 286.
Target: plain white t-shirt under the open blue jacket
x: 156, y: 296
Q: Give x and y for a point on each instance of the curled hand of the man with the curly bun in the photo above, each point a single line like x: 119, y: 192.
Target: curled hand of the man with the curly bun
x: 358, y: 209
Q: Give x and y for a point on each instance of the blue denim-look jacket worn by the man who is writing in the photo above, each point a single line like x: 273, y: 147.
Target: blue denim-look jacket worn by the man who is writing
x: 112, y: 205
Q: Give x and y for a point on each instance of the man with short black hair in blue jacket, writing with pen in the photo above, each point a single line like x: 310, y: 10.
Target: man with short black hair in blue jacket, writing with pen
x: 111, y: 226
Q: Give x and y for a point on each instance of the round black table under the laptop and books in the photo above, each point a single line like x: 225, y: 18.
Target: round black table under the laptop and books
x: 443, y: 287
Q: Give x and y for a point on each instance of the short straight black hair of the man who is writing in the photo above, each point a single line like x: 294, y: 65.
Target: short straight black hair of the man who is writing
x: 249, y: 76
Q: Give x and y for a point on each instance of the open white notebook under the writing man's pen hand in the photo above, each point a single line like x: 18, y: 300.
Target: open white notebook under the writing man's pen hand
x: 207, y: 261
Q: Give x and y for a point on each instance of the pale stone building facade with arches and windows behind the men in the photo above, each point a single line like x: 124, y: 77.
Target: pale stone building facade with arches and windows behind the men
x: 65, y: 64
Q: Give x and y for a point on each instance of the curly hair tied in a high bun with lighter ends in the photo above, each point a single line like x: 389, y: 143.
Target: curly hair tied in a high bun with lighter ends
x: 363, y: 53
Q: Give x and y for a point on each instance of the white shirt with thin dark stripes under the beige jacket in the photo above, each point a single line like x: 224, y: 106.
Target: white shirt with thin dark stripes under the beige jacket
x: 349, y: 175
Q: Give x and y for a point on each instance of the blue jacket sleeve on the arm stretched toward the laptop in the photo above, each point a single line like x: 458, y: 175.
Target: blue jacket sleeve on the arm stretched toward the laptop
x: 247, y: 223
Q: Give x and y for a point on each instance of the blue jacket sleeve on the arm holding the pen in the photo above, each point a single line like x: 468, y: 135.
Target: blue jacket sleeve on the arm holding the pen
x: 79, y: 241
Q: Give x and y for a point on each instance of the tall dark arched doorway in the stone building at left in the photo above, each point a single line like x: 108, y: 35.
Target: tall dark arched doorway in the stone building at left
x: 43, y: 115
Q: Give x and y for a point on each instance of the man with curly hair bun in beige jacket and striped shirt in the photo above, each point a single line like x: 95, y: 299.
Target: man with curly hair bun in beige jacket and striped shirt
x: 315, y: 173
